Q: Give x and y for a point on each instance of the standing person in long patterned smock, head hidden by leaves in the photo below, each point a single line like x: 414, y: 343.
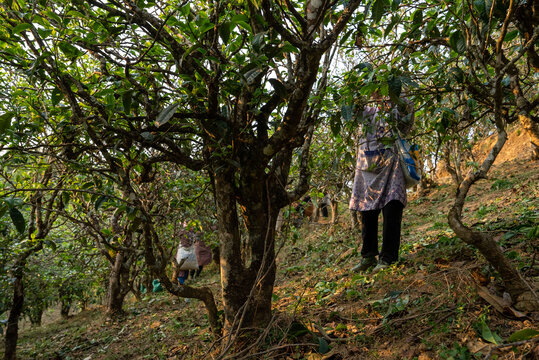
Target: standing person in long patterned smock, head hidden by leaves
x: 379, y: 184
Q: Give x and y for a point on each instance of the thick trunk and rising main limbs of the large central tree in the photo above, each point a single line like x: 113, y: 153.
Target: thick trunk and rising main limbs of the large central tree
x: 250, y: 166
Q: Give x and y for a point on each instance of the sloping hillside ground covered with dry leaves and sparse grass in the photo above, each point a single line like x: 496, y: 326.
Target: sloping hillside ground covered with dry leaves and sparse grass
x: 440, y: 301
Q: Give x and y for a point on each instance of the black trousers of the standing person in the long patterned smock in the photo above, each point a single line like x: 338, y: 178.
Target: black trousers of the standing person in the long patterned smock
x: 391, y: 235
